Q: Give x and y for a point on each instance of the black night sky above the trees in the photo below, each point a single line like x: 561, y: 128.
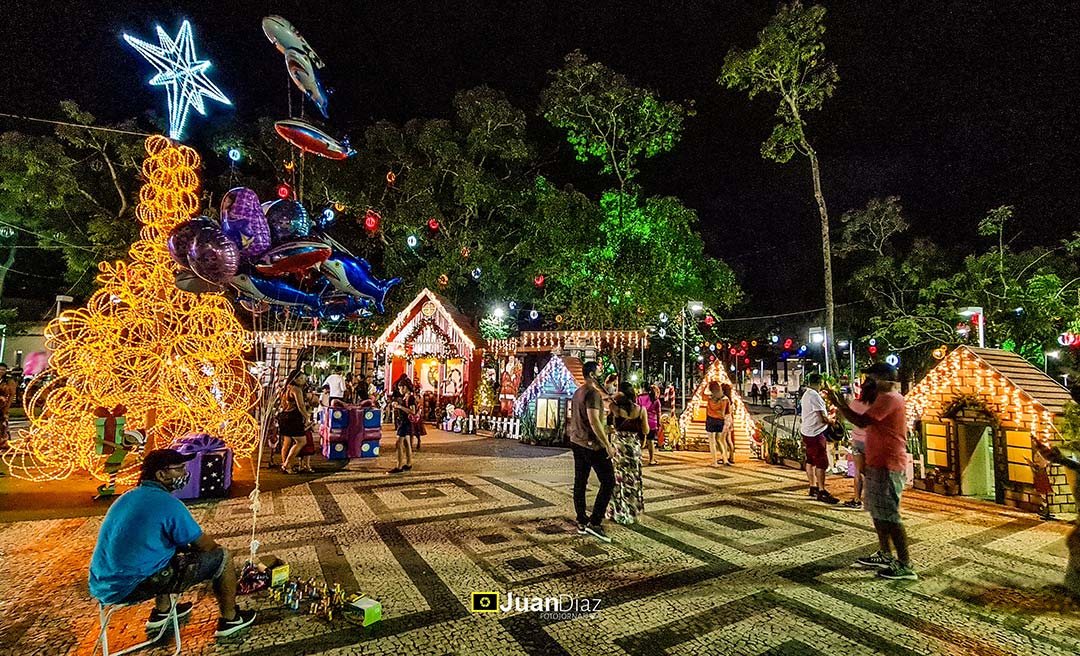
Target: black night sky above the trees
x: 953, y: 106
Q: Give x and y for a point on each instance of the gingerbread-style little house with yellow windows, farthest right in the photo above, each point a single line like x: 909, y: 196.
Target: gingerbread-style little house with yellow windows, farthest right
x: 975, y: 416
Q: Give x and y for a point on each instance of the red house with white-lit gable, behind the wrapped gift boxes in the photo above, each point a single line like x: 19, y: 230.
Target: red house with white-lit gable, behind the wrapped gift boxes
x: 436, y: 346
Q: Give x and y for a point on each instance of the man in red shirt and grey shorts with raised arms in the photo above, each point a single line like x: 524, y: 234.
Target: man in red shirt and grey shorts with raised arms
x: 886, y: 424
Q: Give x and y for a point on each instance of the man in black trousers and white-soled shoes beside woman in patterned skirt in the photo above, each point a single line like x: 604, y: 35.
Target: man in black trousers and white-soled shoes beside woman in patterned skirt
x: 592, y: 452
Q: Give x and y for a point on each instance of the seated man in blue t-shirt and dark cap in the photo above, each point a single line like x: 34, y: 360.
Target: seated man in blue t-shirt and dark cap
x: 150, y: 546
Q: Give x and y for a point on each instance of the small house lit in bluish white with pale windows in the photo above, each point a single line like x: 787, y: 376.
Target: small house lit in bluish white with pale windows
x: 546, y: 403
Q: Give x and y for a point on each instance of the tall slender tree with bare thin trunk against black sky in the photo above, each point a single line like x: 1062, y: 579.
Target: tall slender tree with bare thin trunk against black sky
x: 789, y: 63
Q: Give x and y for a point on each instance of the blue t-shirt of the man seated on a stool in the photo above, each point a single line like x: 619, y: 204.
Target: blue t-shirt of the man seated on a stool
x: 140, y: 535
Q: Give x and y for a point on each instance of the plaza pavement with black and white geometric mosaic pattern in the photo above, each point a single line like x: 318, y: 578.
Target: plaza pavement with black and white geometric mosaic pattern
x: 725, y: 561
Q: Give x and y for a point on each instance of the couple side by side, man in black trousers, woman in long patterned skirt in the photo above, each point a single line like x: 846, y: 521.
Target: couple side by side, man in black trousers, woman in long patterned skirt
x: 615, y: 454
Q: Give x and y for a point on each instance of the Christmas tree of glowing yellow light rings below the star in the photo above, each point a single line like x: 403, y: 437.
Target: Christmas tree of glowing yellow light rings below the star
x: 172, y: 360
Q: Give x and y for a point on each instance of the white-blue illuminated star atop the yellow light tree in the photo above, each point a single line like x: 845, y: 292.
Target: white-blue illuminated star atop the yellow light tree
x: 181, y: 74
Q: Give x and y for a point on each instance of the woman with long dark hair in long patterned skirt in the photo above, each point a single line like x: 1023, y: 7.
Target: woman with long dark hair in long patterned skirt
x: 631, y: 426
